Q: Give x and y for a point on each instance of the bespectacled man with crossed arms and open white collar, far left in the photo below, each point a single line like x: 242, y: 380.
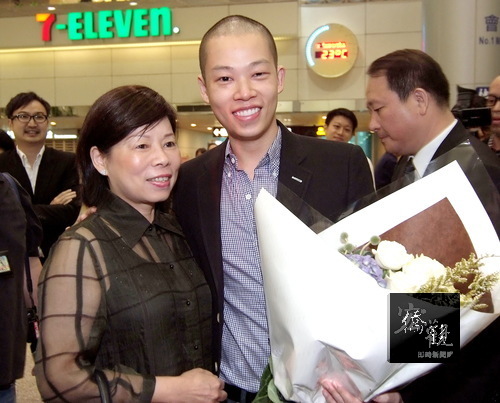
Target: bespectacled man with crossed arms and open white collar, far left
x: 48, y: 175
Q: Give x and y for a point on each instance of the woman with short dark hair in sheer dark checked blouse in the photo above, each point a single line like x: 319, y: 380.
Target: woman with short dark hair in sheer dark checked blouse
x: 122, y: 300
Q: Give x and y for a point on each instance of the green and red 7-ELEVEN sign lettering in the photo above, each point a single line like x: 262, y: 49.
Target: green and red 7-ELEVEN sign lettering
x: 108, y: 24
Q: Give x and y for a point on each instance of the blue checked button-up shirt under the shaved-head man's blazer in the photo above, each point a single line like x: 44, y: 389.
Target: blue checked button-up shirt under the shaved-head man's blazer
x: 245, y: 336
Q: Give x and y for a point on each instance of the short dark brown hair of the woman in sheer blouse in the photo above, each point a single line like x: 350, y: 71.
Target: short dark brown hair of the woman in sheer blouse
x: 110, y: 119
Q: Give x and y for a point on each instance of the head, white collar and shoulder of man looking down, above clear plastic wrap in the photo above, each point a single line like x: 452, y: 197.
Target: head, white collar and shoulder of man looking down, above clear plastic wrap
x: 408, y: 98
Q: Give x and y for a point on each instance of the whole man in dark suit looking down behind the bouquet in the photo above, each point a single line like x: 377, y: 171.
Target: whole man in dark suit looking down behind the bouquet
x: 408, y: 99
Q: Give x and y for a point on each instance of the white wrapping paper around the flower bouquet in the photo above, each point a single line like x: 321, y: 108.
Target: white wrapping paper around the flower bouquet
x: 326, y: 317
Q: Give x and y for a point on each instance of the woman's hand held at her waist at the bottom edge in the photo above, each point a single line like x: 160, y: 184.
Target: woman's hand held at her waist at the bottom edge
x: 196, y: 385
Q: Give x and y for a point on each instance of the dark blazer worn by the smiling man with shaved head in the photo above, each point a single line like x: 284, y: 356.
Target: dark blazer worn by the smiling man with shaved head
x: 327, y: 175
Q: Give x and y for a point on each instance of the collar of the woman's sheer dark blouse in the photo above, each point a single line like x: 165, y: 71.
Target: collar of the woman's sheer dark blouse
x: 132, y: 225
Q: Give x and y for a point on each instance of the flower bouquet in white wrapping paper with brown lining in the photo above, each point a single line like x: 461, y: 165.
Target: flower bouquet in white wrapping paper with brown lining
x: 328, y: 318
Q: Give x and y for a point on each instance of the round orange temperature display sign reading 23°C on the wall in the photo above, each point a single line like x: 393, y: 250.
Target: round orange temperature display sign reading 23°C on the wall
x: 331, y: 50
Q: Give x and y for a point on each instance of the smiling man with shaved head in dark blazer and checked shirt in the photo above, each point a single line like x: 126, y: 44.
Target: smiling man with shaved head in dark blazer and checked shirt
x: 216, y: 191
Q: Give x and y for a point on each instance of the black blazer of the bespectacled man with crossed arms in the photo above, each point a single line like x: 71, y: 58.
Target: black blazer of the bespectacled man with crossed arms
x: 57, y: 173
